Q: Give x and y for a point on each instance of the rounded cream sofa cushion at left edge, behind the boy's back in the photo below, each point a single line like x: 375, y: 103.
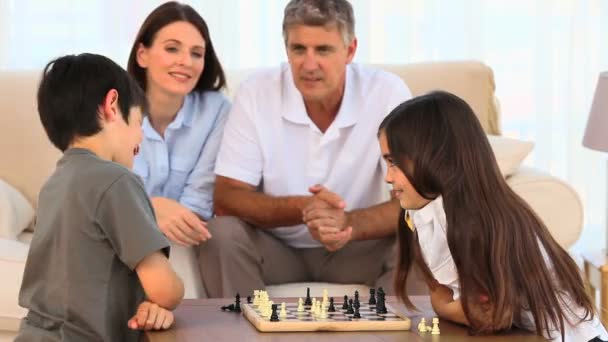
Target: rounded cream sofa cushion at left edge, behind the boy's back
x: 16, y: 213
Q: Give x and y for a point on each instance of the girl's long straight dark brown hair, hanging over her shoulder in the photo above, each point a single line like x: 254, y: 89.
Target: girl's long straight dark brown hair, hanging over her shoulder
x: 495, y: 238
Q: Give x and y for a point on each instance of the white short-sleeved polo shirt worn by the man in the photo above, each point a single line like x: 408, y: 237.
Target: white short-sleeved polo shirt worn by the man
x: 270, y: 141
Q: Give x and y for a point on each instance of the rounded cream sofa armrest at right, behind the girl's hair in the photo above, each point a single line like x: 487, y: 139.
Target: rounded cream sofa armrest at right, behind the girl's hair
x: 554, y: 201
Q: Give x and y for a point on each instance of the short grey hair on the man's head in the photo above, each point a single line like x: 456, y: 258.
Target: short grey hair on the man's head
x: 321, y: 13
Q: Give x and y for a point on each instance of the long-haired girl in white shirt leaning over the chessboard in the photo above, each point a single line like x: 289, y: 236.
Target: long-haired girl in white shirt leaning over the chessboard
x: 488, y: 259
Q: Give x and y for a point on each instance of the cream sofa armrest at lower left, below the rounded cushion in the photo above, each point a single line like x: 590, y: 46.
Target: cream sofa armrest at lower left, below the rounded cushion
x: 12, y: 263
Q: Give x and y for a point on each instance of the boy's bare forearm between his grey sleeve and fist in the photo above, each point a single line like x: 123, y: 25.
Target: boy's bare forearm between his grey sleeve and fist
x: 161, y: 284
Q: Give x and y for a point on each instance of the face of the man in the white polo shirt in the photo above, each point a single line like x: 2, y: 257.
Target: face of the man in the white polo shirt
x: 318, y: 58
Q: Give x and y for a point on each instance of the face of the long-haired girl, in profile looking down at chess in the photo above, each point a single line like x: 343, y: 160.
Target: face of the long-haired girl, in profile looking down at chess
x: 403, y: 190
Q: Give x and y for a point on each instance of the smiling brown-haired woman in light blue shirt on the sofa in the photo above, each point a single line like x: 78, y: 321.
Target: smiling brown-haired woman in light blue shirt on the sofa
x: 174, y: 61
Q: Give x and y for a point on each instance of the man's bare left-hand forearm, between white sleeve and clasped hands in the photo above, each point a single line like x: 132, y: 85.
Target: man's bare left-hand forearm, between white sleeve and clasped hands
x: 236, y: 198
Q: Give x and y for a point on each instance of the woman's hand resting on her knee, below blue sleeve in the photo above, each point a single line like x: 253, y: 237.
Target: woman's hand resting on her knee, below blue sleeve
x: 178, y: 223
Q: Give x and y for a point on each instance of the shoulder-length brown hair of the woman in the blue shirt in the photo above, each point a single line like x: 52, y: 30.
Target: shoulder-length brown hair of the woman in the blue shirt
x: 213, y: 77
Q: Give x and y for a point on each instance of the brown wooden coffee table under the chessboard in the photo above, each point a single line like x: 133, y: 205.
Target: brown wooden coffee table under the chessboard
x: 202, y: 320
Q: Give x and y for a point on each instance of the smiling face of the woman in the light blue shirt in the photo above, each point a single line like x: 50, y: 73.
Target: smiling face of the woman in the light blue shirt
x: 175, y: 60
